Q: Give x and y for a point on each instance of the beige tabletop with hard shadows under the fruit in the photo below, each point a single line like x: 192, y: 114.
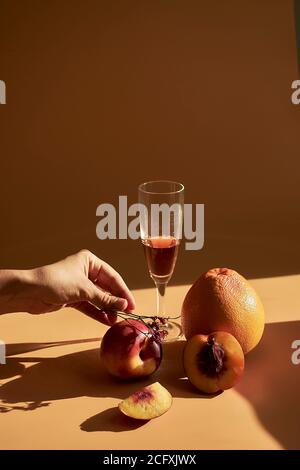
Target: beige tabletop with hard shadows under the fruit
x: 55, y: 394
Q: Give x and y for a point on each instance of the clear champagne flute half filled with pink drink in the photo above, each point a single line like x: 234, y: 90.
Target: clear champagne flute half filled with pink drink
x: 161, y: 219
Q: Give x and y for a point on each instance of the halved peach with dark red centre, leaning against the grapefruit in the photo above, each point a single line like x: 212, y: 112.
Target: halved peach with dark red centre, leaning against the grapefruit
x: 213, y: 362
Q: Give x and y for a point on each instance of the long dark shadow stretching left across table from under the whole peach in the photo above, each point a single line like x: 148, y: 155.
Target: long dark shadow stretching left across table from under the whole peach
x: 82, y: 374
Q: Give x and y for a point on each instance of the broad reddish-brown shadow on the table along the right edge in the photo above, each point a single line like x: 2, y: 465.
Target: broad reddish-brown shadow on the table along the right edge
x: 271, y: 383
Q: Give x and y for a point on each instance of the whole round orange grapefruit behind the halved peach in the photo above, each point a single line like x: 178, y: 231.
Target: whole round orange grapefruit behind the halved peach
x: 223, y: 300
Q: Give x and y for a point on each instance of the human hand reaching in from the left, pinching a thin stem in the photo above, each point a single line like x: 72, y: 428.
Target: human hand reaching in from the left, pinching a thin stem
x: 82, y: 281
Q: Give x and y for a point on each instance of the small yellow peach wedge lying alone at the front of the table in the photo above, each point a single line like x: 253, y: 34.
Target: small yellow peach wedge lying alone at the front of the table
x: 149, y: 402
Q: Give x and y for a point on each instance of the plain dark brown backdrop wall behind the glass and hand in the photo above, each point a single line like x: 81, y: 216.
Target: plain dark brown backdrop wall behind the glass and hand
x: 102, y: 95
